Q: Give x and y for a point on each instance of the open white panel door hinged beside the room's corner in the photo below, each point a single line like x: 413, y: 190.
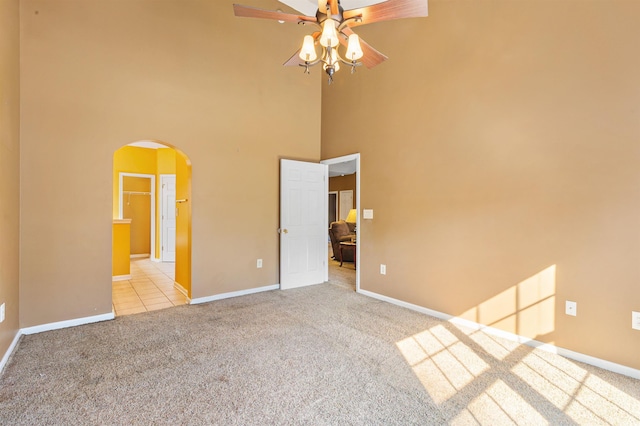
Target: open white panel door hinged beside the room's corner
x: 303, y: 223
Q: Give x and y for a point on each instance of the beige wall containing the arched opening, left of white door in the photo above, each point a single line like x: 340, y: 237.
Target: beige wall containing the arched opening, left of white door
x: 99, y: 74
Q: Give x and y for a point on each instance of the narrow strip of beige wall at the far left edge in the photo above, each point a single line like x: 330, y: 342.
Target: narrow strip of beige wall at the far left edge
x: 9, y: 168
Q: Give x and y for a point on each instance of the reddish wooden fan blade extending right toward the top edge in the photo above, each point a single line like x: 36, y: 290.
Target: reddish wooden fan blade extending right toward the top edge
x: 389, y: 10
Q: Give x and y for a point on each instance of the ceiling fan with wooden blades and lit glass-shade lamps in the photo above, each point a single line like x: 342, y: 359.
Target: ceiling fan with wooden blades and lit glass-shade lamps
x: 333, y: 28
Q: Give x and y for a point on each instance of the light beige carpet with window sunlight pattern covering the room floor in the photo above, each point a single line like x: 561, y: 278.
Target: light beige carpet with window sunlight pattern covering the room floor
x: 321, y: 355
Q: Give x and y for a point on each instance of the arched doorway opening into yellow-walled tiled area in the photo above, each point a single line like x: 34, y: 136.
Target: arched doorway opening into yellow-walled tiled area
x: 152, y: 227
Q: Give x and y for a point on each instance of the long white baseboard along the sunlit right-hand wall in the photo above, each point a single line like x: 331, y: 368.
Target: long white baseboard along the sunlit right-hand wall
x: 576, y: 356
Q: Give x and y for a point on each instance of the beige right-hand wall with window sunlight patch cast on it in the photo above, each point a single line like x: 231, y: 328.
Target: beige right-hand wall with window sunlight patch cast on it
x: 500, y: 153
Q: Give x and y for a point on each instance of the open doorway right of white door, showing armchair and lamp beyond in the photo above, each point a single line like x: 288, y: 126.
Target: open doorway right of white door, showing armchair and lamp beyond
x: 344, y: 186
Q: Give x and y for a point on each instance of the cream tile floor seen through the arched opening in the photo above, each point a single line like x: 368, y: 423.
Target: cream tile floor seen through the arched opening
x: 150, y: 288
